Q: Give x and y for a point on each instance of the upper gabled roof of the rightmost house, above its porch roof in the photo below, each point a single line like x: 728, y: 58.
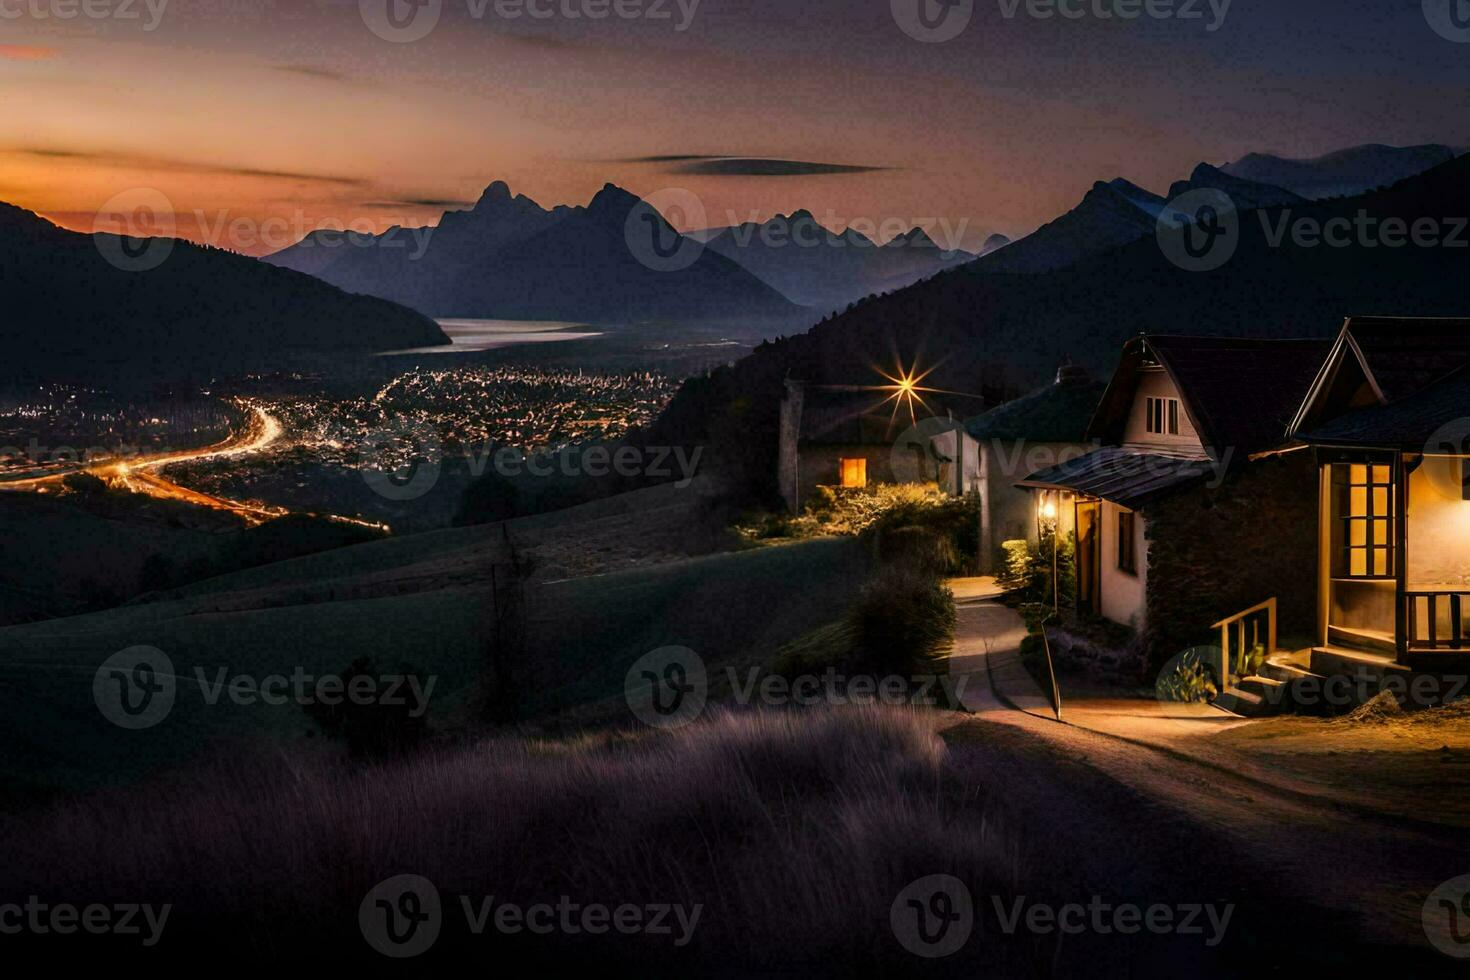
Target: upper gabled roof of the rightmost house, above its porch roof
x: 1381, y: 361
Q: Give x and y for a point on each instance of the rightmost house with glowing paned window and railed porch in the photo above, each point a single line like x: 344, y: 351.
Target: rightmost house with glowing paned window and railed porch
x: 1388, y: 425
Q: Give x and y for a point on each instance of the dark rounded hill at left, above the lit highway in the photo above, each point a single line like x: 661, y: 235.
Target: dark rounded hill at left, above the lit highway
x: 70, y: 311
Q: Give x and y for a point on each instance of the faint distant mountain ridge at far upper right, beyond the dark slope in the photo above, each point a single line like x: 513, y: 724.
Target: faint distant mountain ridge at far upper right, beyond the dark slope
x: 1341, y: 174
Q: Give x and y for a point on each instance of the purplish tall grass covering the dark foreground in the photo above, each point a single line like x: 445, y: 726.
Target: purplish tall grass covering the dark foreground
x: 796, y: 831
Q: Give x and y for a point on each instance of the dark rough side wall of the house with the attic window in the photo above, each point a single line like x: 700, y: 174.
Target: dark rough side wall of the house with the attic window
x: 1215, y: 553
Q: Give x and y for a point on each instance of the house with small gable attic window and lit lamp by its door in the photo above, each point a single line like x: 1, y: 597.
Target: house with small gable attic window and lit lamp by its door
x: 1181, y: 516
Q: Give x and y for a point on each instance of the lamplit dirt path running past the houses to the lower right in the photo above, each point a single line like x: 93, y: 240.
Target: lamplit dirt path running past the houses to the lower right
x: 1372, y: 868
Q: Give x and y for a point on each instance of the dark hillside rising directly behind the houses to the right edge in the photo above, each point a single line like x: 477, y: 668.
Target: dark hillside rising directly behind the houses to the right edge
x: 997, y: 334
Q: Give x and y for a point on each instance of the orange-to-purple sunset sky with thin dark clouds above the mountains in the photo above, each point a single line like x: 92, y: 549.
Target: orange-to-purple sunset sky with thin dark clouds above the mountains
x: 240, y: 111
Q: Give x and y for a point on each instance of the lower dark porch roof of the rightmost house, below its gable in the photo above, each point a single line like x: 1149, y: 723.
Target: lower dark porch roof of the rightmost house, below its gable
x: 1409, y: 424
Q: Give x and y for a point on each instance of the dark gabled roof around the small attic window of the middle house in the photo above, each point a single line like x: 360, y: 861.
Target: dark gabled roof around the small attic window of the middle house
x: 1240, y: 393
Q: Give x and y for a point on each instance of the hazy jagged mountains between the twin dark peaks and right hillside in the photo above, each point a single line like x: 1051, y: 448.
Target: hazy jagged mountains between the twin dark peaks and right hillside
x: 825, y: 270
